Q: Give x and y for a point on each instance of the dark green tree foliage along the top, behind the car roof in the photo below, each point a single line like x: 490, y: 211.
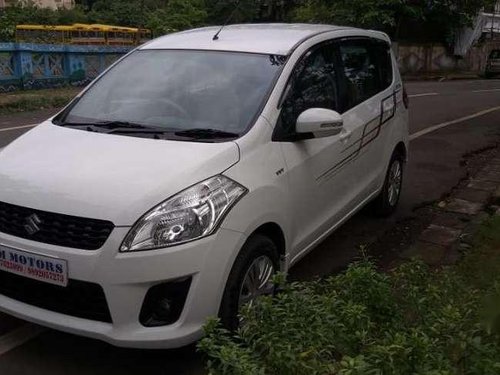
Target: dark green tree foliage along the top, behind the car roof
x: 409, y: 19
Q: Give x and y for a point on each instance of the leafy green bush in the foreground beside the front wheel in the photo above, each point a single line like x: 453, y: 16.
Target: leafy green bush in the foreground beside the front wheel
x: 412, y: 321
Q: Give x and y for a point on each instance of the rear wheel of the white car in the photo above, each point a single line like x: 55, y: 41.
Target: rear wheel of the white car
x: 387, y: 201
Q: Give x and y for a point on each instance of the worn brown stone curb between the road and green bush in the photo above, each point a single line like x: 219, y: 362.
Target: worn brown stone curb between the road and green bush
x: 456, y: 220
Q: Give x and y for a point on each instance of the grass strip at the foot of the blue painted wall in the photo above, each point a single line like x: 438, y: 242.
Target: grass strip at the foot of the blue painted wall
x: 34, y: 100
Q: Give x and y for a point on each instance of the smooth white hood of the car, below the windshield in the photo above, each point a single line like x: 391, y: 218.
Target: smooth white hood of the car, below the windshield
x: 103, y: 176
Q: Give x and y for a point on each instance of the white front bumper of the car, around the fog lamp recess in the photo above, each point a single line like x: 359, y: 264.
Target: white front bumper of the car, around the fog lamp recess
x: 127, y: 277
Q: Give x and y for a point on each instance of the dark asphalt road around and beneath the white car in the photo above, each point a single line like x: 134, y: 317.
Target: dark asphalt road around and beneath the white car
x: 433, y: 170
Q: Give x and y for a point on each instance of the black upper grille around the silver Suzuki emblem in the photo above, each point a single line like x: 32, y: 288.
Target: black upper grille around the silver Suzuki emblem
x: 54, y: 229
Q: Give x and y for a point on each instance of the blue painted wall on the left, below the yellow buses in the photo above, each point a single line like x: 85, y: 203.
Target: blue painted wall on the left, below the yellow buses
x: 30, y: 66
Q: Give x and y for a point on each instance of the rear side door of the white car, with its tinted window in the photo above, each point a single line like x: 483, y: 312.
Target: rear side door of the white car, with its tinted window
x: 370, y: 103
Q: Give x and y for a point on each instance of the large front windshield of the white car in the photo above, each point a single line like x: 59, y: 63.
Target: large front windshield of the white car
x: 179, y: 90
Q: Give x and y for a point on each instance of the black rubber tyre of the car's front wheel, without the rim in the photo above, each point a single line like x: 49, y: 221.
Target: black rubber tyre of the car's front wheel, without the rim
x: 256, y: 248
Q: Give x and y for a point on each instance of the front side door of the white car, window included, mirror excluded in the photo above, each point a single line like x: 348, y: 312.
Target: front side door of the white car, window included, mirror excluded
x: 319, y: 185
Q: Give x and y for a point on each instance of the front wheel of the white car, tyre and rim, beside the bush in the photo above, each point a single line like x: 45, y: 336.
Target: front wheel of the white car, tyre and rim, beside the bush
x: 250, y: 278
